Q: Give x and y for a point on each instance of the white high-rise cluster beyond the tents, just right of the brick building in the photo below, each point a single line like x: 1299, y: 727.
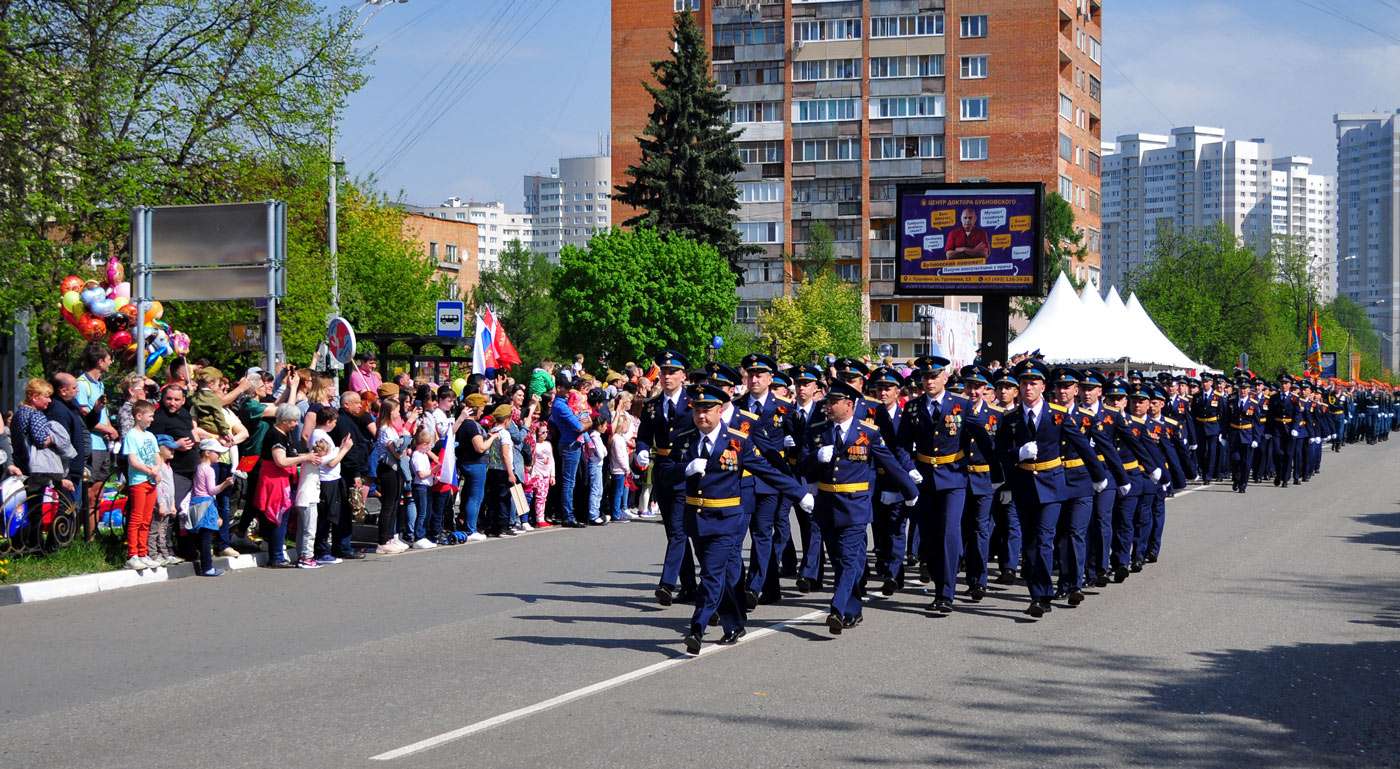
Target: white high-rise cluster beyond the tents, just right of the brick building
x: 1195, y: 179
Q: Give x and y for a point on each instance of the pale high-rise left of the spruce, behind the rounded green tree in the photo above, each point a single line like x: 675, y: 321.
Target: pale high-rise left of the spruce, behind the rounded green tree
x: 572, y: 204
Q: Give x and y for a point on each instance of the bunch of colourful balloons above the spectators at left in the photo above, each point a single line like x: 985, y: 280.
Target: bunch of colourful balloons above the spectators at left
x: 104, y: 310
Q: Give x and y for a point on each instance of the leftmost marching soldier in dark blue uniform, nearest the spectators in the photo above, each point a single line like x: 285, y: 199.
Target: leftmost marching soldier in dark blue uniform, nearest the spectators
x: 660, y: 418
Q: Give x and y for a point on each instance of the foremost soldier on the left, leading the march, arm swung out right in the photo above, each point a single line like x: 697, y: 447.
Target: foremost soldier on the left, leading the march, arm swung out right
x: 715, y: 464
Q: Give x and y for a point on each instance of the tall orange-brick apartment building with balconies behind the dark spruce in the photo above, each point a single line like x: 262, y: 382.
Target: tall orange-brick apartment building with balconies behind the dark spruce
x: 842, y: 100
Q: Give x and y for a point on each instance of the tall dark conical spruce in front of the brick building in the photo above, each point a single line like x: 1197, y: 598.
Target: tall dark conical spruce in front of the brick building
x: 685, y: 180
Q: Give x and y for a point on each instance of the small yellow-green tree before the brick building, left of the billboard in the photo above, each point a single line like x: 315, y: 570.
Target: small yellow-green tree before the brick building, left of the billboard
x: 824, y: 316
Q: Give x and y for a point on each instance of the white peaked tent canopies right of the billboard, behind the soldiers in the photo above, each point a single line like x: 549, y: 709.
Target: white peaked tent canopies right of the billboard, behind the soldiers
x: 1072, y: 328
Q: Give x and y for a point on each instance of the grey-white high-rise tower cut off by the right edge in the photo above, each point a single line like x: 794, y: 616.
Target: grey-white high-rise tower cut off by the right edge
x: 1368, y: 221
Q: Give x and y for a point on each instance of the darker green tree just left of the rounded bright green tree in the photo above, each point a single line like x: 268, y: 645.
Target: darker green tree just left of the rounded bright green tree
x: 520, y: 293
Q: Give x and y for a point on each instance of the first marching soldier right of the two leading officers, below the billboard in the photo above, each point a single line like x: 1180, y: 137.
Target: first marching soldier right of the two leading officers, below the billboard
x: 937, y: 434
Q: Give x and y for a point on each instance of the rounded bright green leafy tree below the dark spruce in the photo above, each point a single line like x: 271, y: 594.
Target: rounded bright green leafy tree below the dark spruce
x: 632, y: 293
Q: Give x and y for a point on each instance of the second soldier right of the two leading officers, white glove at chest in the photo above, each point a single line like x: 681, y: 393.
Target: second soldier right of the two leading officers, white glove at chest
x: 1028, y: 445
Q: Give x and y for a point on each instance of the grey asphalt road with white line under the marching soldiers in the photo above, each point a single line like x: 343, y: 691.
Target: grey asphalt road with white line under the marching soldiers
x: 1269, y: 635
